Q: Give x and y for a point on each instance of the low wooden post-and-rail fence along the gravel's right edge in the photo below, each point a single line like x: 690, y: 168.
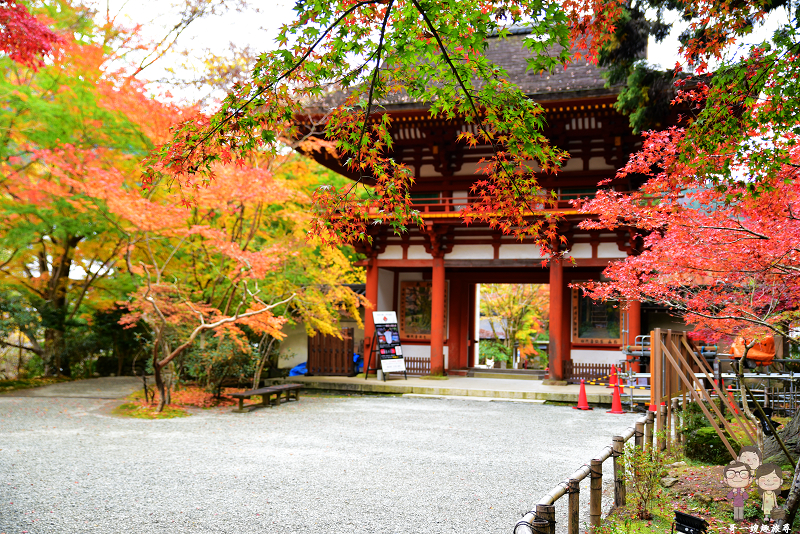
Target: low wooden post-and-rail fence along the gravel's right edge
x: 542, y: 518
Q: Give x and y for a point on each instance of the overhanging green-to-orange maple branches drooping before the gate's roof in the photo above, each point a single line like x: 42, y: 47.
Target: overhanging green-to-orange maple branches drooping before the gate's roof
x: 373, y: 51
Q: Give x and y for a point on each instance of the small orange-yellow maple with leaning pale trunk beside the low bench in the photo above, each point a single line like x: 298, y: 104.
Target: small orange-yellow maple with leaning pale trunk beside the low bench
x: 236, y: 264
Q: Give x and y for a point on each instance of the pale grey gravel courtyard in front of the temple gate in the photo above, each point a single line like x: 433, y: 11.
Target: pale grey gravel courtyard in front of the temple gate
x: 324, y: 464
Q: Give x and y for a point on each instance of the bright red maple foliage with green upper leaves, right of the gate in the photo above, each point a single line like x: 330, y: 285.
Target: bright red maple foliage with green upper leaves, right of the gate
x: 718, y: 215
